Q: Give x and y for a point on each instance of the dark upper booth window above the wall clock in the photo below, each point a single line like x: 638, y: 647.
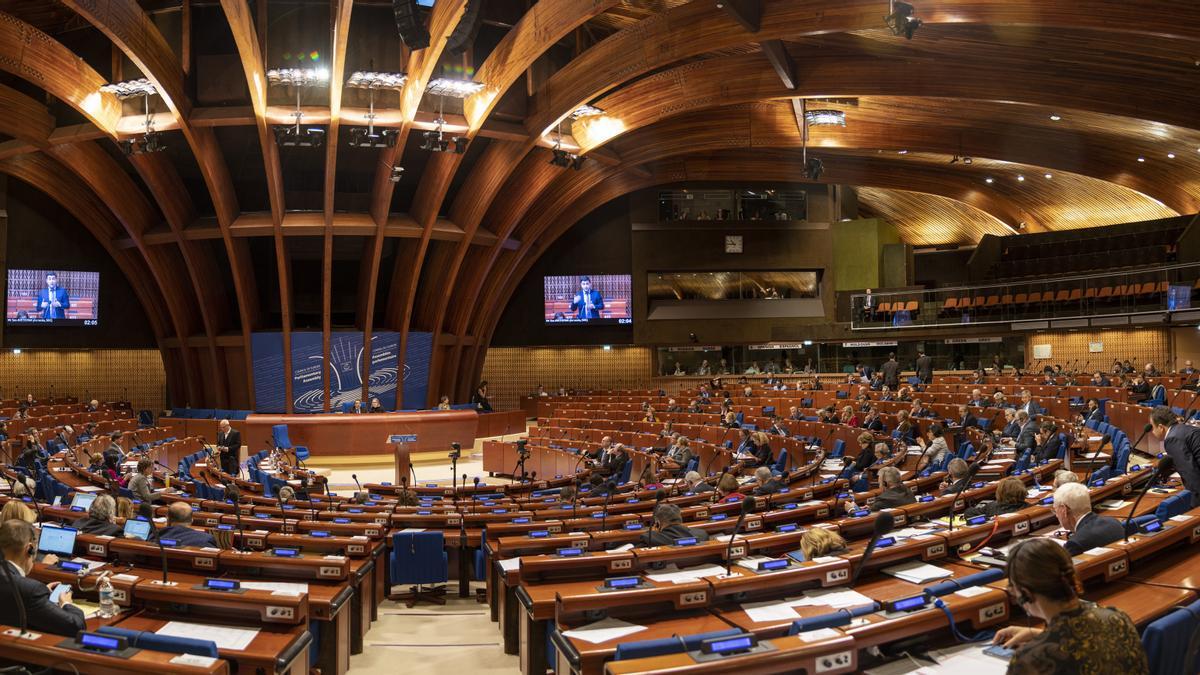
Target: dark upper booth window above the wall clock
x: 733, y: 205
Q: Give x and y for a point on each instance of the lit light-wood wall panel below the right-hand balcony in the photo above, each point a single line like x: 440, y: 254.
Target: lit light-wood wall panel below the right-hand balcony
x: 1138, y: 345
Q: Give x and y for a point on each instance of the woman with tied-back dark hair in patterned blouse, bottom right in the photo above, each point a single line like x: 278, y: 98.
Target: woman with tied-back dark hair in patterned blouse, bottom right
x: 1081, y: 637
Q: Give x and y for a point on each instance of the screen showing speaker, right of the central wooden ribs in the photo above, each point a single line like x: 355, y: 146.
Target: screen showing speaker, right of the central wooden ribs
x: 589, y: 298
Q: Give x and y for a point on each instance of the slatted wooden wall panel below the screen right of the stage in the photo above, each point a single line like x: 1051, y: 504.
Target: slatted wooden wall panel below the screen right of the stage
x: 517, y: 372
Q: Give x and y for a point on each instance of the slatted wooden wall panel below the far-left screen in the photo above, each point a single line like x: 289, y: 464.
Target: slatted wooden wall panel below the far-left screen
x: 100, y: 374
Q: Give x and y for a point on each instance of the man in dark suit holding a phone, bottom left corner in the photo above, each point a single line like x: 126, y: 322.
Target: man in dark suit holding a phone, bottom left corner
x: 19, y: 542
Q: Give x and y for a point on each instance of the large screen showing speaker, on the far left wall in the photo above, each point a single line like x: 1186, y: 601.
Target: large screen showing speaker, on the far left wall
x: 53, y: 297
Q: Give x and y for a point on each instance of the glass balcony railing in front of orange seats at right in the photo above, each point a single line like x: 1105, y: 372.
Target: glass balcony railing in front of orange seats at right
x: 1144, y: 291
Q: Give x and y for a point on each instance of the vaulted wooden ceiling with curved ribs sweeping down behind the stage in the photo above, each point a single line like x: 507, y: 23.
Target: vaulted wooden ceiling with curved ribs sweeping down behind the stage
x: 209, y: 231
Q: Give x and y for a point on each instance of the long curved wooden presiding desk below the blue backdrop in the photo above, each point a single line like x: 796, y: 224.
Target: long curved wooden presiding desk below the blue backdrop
x: 344, y: 435
